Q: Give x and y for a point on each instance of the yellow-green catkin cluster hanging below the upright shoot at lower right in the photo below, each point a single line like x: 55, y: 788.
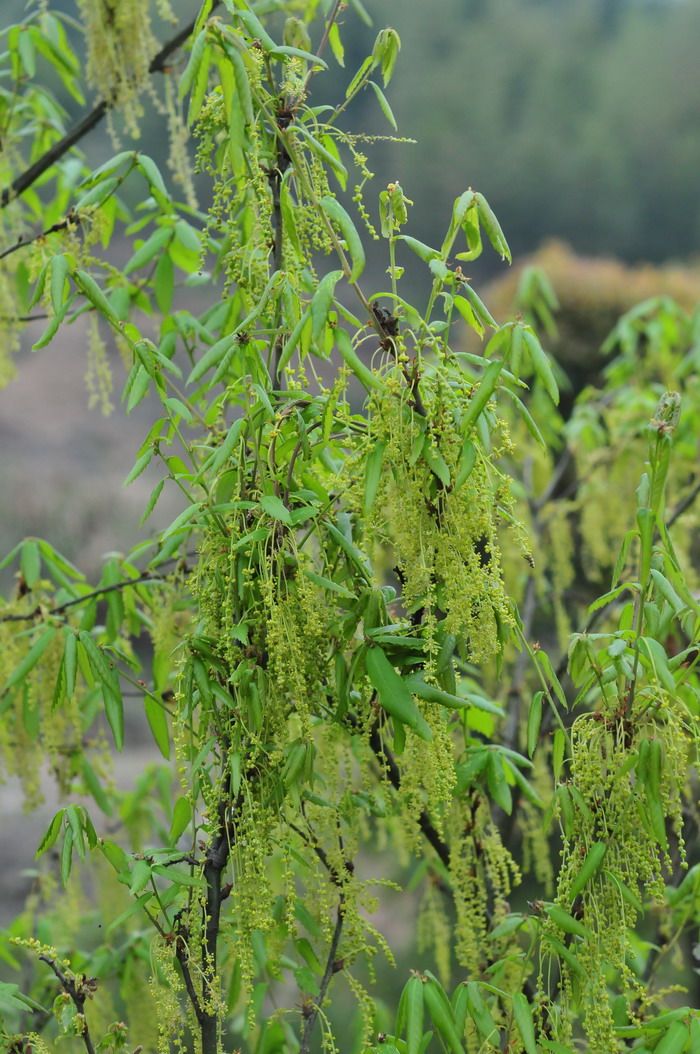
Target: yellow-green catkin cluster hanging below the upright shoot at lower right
x: 601, y: 746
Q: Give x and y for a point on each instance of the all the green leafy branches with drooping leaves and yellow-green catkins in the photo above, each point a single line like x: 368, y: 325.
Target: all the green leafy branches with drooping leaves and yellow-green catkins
x: 337, y: 662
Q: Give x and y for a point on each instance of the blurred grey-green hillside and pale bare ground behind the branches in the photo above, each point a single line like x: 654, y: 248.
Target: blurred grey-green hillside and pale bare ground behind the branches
x: 578, y: 120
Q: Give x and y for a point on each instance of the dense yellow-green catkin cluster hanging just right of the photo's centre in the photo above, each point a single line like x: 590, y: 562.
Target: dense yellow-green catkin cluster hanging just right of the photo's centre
x: 444, y: 537
